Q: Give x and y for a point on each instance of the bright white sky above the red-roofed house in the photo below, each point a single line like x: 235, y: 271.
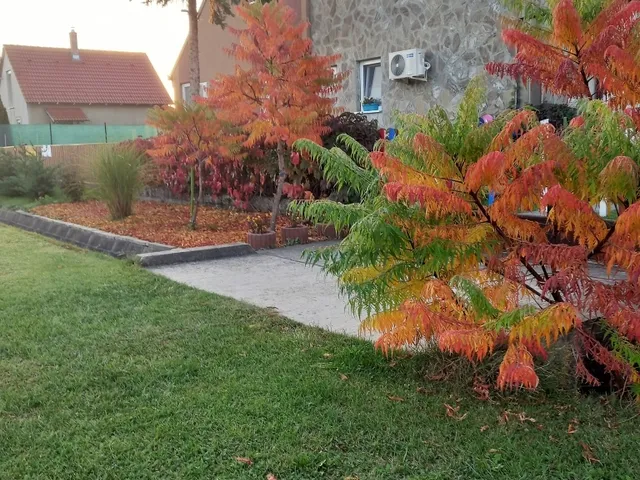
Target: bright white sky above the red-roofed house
x: 122, y: 25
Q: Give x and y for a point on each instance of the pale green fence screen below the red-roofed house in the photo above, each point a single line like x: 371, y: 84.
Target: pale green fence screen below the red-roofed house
x: 59, y: 134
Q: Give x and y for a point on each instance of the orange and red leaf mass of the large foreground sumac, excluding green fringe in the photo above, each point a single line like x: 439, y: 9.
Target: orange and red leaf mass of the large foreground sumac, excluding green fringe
x: 475, y: 280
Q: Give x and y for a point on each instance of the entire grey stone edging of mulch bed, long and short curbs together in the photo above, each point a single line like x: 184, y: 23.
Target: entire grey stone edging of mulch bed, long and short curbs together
x: 148, y: 254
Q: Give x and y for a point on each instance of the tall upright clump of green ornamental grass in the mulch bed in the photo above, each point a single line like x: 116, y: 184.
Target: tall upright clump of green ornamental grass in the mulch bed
x: 117, y: 171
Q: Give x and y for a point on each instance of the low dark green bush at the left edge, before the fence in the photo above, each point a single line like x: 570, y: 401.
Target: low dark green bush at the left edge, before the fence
x: 24, y: 174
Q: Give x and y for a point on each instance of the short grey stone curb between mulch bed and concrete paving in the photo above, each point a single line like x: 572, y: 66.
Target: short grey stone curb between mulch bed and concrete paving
x: 198, y: 254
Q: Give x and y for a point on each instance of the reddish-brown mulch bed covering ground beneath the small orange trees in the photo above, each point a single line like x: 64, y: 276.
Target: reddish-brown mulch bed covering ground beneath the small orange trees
x: 162, y: 223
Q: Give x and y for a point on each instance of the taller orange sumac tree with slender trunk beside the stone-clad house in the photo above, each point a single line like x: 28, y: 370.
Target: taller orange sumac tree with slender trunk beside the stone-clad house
x: 280, y: 91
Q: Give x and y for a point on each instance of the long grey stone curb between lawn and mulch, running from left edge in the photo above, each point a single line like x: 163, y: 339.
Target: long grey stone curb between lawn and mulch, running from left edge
x: 90, y: 238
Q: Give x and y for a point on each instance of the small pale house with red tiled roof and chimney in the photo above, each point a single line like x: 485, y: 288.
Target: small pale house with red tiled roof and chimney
x: 59, y: 85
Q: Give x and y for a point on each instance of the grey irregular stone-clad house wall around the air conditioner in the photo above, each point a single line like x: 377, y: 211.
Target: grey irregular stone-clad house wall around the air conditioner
x: 459, y: 37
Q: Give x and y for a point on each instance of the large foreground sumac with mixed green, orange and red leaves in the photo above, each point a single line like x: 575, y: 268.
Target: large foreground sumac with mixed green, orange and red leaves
x: 428, y: 260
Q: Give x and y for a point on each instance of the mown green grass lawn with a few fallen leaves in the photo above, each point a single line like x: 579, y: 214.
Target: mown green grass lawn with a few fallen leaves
x: 107, y: 371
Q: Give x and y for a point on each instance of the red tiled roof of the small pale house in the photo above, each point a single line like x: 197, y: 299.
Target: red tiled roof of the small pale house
x: 49, y: 75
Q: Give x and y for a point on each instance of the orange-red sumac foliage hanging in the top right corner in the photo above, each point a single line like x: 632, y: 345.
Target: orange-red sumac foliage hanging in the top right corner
x: 580, y: 59
